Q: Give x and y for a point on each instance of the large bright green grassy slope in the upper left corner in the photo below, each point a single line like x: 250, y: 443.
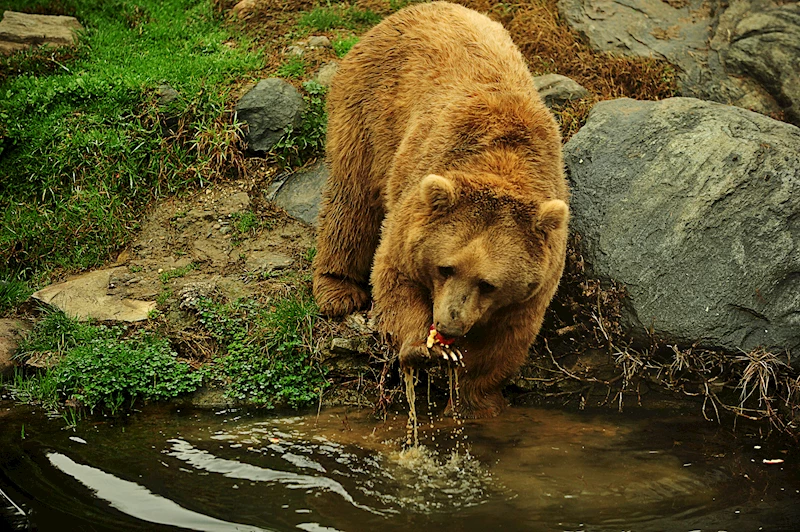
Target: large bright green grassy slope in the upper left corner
x: 82, y: 148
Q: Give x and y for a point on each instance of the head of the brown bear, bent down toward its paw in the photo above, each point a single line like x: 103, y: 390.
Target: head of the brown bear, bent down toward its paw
x: 481, y: 248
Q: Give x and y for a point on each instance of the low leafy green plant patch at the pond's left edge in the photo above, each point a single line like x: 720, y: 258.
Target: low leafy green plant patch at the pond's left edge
x: 99, y: 368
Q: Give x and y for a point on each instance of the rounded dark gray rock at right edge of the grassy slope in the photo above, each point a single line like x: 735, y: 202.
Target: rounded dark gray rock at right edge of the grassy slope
x: 269, y: 109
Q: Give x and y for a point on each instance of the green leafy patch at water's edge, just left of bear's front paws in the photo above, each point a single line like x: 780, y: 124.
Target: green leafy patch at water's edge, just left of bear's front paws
x: 268, y: 354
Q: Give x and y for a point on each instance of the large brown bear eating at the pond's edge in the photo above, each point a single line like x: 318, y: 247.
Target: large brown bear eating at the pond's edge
x: 446, y: 194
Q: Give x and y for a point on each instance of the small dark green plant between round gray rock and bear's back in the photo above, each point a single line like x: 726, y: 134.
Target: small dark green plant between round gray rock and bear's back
x: 299, y: 144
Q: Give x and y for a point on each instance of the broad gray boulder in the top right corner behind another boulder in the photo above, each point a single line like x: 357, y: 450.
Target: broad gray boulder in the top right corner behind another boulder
x: 740, y: 52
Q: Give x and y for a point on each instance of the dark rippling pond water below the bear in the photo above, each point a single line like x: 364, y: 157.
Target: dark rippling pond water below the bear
x: 171, y: 468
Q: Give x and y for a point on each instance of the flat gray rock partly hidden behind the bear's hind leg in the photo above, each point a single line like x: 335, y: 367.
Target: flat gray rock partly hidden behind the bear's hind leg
x: 301, y: 193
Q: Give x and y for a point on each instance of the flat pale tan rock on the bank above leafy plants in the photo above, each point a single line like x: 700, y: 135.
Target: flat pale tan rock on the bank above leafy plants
x: 86, y: 297
